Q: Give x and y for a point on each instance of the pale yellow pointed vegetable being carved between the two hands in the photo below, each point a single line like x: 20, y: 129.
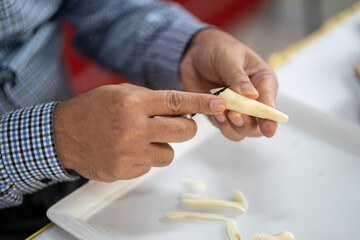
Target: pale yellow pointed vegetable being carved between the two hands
x: 239, y: 103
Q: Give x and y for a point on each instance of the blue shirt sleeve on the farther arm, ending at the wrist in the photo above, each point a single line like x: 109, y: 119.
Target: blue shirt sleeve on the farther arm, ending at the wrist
x: 143, y: 40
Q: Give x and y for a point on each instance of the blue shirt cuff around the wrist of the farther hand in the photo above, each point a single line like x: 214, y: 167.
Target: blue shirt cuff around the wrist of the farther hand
x: 163, y: 60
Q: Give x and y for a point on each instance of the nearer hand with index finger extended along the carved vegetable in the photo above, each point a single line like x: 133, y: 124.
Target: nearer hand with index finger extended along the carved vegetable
x: 110, y: 133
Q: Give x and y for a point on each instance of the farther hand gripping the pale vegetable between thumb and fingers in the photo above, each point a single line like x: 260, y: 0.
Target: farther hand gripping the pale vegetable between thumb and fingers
x: 216, y: 59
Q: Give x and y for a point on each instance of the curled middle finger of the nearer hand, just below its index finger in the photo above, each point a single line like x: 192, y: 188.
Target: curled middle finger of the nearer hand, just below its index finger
x: 171, y: 129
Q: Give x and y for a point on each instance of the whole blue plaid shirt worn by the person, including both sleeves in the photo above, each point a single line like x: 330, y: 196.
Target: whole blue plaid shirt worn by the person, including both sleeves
x: 141, y: 39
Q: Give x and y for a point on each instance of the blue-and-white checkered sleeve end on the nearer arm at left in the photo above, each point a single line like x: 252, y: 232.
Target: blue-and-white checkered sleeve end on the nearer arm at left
x: 28, y: 157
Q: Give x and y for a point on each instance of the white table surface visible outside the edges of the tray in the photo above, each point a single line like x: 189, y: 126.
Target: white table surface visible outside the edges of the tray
x: 321, y: 75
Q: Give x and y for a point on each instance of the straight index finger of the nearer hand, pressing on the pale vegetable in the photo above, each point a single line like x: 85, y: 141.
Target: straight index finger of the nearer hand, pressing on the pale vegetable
x: 177, y: 102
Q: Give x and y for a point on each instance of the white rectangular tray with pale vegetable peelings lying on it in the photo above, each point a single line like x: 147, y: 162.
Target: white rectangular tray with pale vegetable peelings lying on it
x: 305, y: 180
